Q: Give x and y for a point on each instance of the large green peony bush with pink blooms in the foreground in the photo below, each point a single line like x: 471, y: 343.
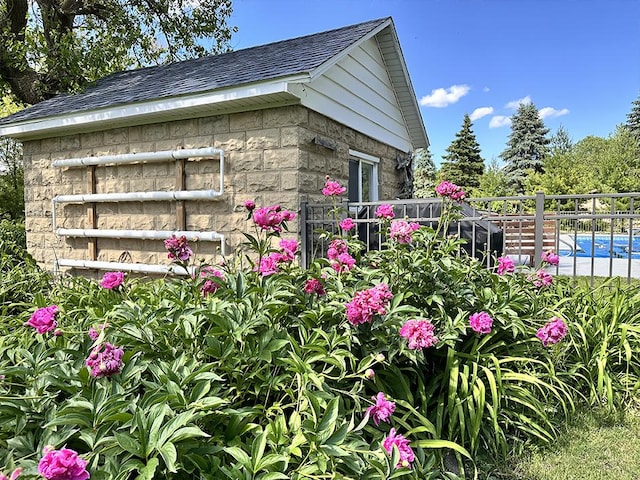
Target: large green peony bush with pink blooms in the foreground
x: 268, y: 376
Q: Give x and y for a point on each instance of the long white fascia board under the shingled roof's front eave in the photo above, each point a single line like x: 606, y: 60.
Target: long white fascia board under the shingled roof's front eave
x: 142, y: 109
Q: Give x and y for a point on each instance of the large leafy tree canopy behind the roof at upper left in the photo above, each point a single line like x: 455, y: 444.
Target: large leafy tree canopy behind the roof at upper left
x: 53, y: 46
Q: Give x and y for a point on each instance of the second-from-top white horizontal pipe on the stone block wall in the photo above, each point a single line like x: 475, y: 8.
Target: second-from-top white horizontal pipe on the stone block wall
x: 139, y: 196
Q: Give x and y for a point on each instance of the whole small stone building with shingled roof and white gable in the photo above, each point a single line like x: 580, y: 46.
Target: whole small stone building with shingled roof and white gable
x: 175, y: 149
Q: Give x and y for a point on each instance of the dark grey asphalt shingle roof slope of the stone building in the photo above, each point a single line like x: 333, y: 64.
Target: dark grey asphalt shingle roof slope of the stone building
x: 271, y: 61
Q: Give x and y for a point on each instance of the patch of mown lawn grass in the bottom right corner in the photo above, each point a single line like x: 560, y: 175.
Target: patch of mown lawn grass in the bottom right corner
x: 595, y: 446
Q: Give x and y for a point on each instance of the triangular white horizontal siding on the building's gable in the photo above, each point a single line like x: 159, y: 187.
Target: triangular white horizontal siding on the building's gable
x: 357, y: 92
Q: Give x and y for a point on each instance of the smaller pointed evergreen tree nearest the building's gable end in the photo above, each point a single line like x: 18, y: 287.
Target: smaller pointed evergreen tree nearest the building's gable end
x: 463, y: 164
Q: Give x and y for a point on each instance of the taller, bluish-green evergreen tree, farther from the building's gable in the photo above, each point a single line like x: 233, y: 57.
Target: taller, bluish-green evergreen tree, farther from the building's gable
x: 527, y: 147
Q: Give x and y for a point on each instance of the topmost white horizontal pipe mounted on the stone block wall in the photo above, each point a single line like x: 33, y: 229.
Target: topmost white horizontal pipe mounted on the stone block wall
x: 125, y: 158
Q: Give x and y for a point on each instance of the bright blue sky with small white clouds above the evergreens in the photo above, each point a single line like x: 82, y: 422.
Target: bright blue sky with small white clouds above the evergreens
x: 577, y: 60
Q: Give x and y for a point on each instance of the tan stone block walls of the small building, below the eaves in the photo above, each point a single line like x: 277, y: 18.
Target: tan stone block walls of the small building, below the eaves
x: 269, y: 156
